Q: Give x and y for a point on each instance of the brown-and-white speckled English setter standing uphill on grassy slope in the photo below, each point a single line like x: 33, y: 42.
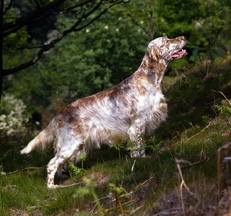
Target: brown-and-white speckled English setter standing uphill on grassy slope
x: 133, y: 108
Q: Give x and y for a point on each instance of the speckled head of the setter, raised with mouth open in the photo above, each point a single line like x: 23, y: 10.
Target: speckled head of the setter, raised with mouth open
x: 167, y: 49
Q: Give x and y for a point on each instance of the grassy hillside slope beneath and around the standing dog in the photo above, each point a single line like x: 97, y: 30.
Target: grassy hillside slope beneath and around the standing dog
x: 193, y: 133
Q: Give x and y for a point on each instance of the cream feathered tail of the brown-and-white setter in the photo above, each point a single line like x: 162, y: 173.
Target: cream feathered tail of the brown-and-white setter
x: 42, y: 140
